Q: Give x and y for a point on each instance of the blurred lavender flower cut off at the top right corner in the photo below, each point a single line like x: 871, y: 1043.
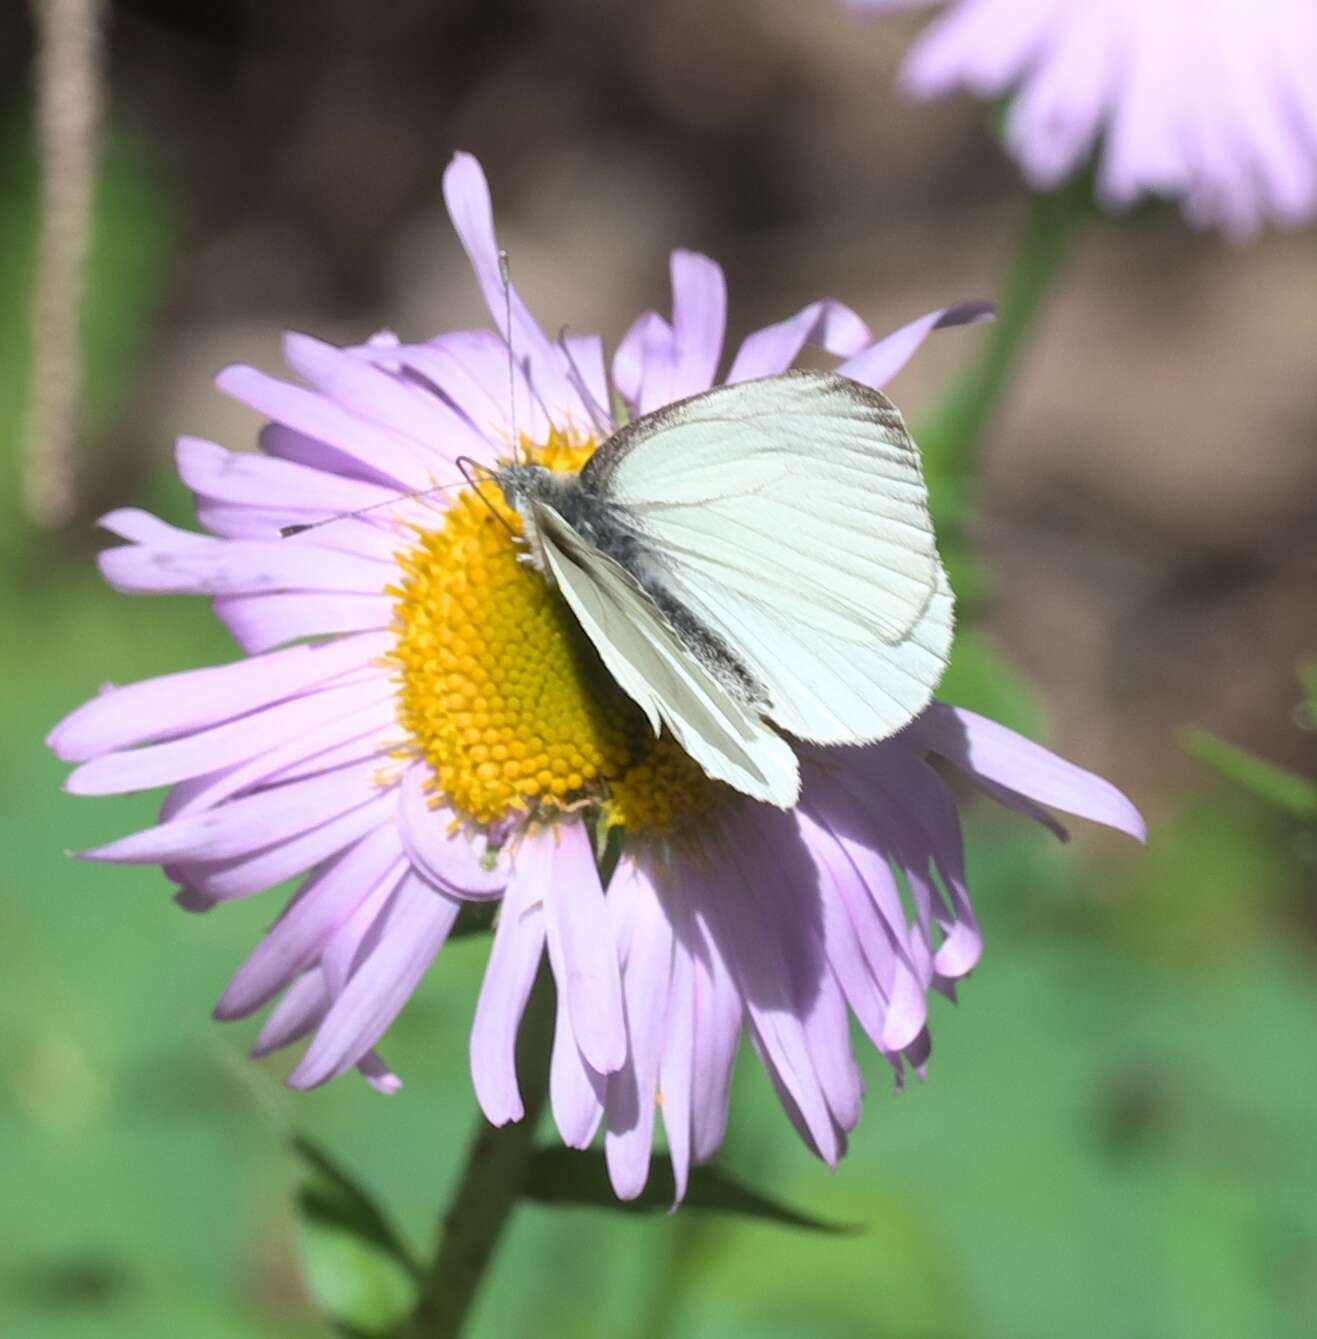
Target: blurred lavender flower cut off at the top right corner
x: 1212, y: 104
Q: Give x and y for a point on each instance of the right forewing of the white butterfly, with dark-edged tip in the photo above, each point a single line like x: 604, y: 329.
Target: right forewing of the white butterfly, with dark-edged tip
x: 802, y: 489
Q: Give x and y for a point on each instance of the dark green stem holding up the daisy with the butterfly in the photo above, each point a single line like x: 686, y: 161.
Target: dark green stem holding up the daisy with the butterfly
x: 492, y: 1180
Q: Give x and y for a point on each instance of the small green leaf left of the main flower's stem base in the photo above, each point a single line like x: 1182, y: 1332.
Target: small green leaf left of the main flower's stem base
x: 357, y: 1266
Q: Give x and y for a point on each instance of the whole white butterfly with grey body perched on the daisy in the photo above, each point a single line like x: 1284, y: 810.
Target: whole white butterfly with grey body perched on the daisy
x: 754, y: 558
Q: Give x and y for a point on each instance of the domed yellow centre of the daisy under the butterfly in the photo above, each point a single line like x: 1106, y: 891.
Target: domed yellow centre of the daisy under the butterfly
x: 505, y: 697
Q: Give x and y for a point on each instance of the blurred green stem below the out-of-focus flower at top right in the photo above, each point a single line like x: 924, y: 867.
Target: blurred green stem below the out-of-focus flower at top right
x: 954, y: 437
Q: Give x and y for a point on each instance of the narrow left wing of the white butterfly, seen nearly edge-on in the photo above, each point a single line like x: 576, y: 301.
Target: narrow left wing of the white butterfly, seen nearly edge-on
x: 654, y: 667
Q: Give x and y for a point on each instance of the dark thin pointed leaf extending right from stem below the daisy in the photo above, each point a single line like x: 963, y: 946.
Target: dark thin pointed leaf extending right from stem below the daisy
x: 568, y: 1178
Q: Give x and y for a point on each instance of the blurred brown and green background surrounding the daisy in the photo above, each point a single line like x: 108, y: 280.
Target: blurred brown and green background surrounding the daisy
x: 1120, y: 1131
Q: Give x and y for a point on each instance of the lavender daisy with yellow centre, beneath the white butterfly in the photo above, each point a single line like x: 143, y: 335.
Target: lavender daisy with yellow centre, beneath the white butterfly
x: 448, y: 736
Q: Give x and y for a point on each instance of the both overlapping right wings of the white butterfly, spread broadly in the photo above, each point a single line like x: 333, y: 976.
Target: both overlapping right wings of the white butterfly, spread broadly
x: 790, y: 515
